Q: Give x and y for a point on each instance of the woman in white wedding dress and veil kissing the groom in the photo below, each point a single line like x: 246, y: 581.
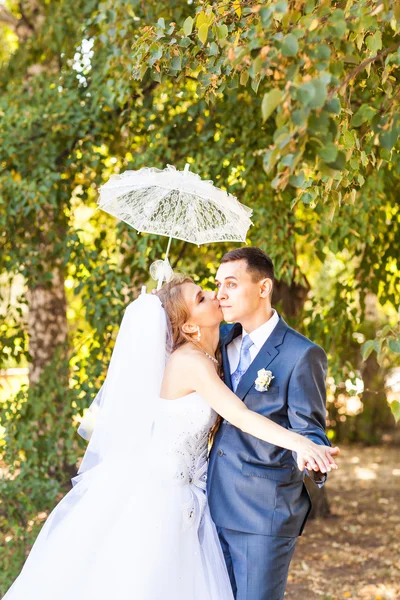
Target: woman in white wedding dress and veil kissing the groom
x: 136, y: 524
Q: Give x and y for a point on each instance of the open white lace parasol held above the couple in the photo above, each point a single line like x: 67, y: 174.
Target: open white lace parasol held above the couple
x: 177, y: 204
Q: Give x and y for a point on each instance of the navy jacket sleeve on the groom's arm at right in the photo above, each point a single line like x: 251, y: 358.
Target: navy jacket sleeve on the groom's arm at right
x: 307, y: 397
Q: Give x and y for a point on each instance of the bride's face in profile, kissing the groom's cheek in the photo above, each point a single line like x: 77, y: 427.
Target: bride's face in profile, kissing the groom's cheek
x: 203, y: 306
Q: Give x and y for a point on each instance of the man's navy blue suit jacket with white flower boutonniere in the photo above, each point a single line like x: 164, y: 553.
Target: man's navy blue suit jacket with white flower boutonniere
x: 254, y: 486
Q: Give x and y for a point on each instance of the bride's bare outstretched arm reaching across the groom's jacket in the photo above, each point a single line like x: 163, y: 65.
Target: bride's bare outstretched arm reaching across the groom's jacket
x: 206, y: 382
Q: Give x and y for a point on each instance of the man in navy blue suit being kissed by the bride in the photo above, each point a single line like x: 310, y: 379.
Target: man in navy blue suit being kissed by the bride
x: 256, y: 493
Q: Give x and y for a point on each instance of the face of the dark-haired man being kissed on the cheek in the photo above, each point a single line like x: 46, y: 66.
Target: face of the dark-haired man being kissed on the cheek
x: 238, y: 294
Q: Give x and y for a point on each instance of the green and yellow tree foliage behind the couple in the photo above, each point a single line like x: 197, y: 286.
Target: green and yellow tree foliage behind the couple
x: 293, y: 106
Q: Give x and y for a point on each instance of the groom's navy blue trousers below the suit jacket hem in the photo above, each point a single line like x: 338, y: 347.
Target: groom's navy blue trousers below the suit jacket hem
x: 258, y: 565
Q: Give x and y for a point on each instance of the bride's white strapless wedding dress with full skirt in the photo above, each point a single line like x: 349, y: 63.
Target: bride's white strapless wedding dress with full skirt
x: 136, y: 525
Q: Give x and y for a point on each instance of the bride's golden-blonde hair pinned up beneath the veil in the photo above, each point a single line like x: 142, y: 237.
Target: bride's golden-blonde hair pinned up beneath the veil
x: 176, y: 309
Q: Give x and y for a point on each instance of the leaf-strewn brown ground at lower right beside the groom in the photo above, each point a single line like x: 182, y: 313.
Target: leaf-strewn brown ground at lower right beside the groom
x: 355, y: 554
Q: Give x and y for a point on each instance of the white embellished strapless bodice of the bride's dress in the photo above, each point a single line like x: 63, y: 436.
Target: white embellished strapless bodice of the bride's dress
x: 180, y: 437
